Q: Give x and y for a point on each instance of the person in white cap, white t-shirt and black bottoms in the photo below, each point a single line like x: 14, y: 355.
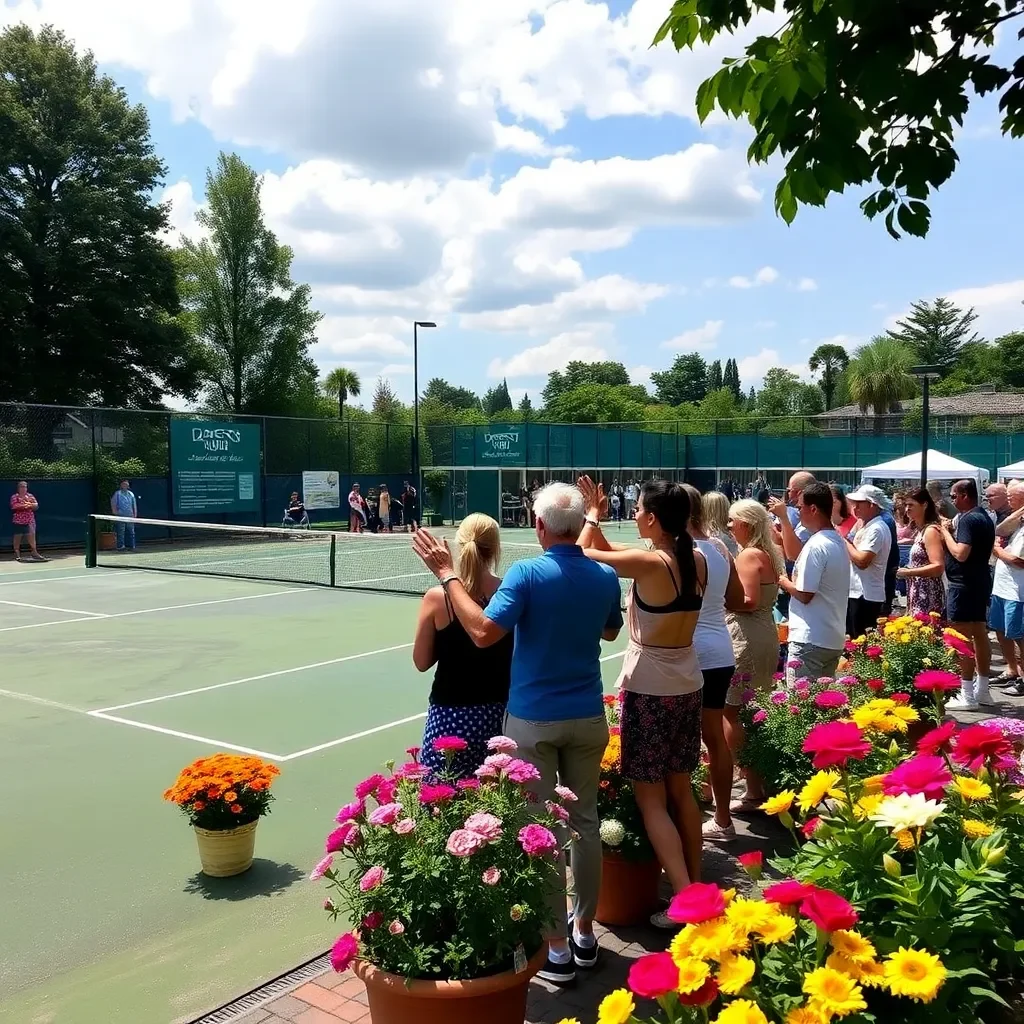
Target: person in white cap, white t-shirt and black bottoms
x: 869, y: 545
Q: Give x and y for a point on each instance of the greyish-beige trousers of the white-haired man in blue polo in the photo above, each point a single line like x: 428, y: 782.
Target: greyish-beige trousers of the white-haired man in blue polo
x: 569, y: 753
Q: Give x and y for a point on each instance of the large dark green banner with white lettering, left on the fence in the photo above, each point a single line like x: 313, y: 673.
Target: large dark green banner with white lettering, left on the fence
x: 216, y: 467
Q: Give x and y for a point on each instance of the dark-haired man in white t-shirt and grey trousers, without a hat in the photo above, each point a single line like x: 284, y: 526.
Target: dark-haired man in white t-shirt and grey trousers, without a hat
x: 820, y: 590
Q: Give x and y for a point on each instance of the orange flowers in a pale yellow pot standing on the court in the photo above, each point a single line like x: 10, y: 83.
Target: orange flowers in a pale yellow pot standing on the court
x: 224, y: 797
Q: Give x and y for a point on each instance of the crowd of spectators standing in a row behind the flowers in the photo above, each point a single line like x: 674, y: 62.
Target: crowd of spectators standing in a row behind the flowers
x: 521, y: 656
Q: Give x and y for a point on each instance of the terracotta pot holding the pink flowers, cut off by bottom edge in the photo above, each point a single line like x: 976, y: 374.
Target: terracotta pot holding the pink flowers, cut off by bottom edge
x: 500, y: 999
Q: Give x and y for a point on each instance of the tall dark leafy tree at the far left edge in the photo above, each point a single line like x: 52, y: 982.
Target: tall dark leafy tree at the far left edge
x: 89, y: 301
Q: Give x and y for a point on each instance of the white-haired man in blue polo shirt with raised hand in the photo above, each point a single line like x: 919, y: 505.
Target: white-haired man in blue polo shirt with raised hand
x: 561, y: 605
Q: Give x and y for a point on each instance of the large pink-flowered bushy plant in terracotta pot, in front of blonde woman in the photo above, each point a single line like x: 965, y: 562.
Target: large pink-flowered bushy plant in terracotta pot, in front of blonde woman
x: 447, y: 884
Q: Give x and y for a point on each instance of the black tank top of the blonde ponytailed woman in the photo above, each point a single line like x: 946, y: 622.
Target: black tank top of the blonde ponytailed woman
x: 466, y: 675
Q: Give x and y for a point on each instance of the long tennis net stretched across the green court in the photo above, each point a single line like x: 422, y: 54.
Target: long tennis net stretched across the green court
x: 382, y: 563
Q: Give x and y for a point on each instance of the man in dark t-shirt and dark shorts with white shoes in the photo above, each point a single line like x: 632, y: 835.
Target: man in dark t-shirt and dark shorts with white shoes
x: 970, y: 587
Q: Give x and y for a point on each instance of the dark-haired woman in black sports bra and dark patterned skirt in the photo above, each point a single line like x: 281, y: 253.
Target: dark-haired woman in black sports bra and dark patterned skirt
x: 661, y: 681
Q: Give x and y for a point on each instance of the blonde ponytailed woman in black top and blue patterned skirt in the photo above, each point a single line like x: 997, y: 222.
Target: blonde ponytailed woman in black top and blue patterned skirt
x: 472, y: 685
